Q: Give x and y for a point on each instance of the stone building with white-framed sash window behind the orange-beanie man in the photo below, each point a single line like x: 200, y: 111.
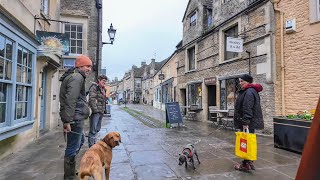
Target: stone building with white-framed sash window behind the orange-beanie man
x: 82, y: 18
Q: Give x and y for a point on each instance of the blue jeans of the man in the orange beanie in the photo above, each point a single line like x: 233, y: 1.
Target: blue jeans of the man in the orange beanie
x: 74, y: 141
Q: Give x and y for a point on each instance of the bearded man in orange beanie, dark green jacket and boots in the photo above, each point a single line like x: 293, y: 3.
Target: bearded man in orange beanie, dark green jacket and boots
x: 73, y: 110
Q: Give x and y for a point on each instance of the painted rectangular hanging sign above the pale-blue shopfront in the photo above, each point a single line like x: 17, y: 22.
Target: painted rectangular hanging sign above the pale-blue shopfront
x: 53, y: 42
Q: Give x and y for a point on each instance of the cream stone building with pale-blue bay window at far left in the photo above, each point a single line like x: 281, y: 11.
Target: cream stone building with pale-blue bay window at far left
x: 28, y: 72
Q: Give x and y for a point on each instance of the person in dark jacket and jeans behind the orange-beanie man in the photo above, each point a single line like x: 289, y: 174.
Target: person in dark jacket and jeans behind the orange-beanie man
x: 97, y: 102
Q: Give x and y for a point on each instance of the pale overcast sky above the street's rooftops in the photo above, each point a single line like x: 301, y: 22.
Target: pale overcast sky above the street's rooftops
x: 145, y: 29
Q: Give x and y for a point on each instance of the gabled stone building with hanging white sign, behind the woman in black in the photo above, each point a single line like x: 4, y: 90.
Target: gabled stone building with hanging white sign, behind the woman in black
x: 208, y: 73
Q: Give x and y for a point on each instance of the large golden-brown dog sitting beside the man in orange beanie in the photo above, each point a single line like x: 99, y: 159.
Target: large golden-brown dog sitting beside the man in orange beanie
x: 99, y: 155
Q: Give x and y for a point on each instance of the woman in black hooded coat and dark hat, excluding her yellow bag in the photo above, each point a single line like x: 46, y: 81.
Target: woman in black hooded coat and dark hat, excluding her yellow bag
x: 248, y: 113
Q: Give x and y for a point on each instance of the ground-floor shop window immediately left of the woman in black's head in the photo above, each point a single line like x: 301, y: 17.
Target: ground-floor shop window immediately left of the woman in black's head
x: 229, y: 90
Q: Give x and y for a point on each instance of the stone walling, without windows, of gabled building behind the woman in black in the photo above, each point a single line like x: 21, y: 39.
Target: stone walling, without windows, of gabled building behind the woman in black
x: 254, y: 27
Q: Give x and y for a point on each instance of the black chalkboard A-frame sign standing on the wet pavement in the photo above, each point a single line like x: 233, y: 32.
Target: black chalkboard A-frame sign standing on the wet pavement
x: 173, y: 114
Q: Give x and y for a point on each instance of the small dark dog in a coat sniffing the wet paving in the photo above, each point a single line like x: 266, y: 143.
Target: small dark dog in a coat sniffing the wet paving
x: 188, y: 153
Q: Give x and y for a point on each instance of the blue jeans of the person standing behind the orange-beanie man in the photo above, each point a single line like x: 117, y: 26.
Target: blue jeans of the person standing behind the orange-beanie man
x: 95, y: 126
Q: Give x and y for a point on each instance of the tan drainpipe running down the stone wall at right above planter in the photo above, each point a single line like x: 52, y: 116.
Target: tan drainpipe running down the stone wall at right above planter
x: 276, y: 8
